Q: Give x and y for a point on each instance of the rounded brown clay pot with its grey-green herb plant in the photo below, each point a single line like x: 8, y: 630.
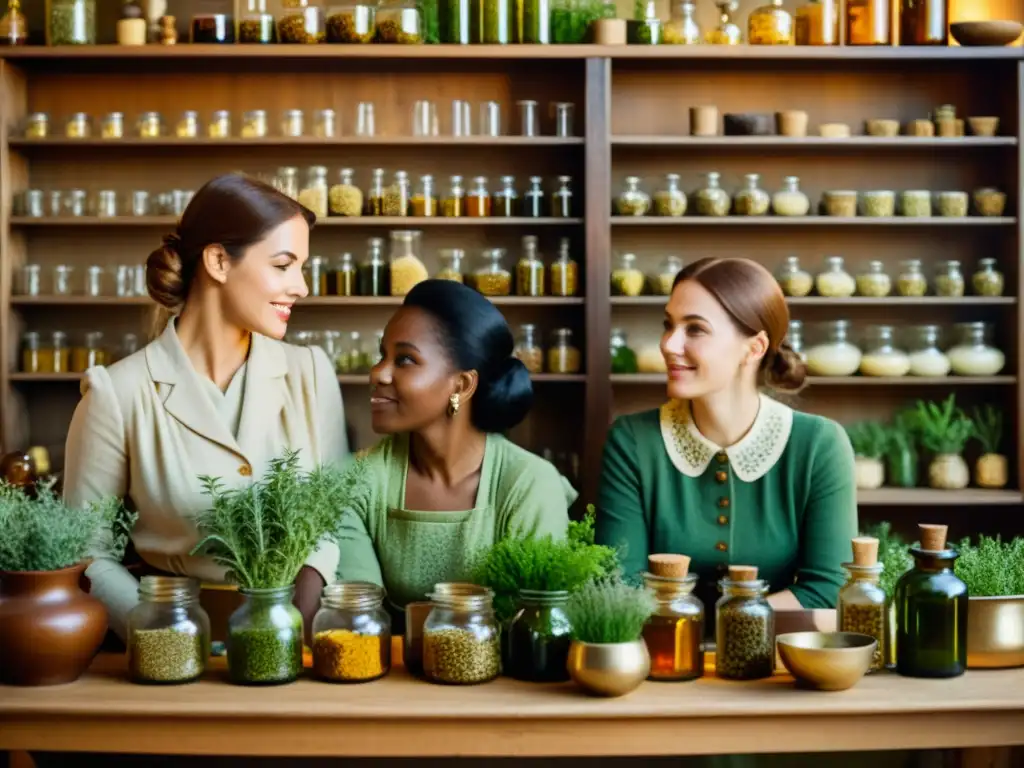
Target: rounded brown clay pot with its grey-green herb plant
x: 50, y: 628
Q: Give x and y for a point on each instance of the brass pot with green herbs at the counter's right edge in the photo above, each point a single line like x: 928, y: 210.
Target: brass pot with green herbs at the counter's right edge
x: 994, y: 573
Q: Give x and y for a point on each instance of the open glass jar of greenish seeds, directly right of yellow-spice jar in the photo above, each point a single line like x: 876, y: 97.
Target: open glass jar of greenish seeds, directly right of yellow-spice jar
x: 461, y: 637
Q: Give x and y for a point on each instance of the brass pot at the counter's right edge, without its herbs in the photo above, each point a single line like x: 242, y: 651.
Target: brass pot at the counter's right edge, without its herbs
x: 996, y: 632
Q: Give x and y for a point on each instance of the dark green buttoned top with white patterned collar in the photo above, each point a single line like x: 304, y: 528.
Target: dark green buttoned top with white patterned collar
x: 783, y: 499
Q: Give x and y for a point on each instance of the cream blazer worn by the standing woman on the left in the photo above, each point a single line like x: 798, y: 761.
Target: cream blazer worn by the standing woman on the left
x: 145, y: 432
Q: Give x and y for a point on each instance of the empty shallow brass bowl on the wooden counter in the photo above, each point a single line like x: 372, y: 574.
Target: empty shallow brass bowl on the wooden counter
x: 827, y: 661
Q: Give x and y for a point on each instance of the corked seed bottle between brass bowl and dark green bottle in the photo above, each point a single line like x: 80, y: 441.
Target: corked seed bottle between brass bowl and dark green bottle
x: 863, y: 605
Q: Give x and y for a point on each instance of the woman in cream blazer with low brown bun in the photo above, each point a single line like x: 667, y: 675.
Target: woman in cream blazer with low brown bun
x: 217, y: 394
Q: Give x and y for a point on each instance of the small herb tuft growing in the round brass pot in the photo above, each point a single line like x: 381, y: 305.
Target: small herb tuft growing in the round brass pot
x: 610, y: 612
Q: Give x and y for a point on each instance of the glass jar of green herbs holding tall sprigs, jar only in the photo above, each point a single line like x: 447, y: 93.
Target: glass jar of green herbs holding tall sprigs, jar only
x: 265, y: 638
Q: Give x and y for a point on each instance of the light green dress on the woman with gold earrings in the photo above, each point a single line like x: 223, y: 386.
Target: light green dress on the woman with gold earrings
x: 409, y: 551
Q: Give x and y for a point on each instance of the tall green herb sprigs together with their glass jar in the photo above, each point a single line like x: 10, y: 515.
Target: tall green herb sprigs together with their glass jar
x: 263, y: 535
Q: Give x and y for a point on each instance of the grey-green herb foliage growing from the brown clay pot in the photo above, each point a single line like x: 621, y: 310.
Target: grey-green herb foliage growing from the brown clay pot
x: 44, y: 534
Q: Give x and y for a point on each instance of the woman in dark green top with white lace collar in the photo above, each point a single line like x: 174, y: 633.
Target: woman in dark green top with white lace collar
x: 722, y: 473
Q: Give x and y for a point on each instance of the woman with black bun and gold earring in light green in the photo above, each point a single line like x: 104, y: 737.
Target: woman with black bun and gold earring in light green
x: 447, y: 483
